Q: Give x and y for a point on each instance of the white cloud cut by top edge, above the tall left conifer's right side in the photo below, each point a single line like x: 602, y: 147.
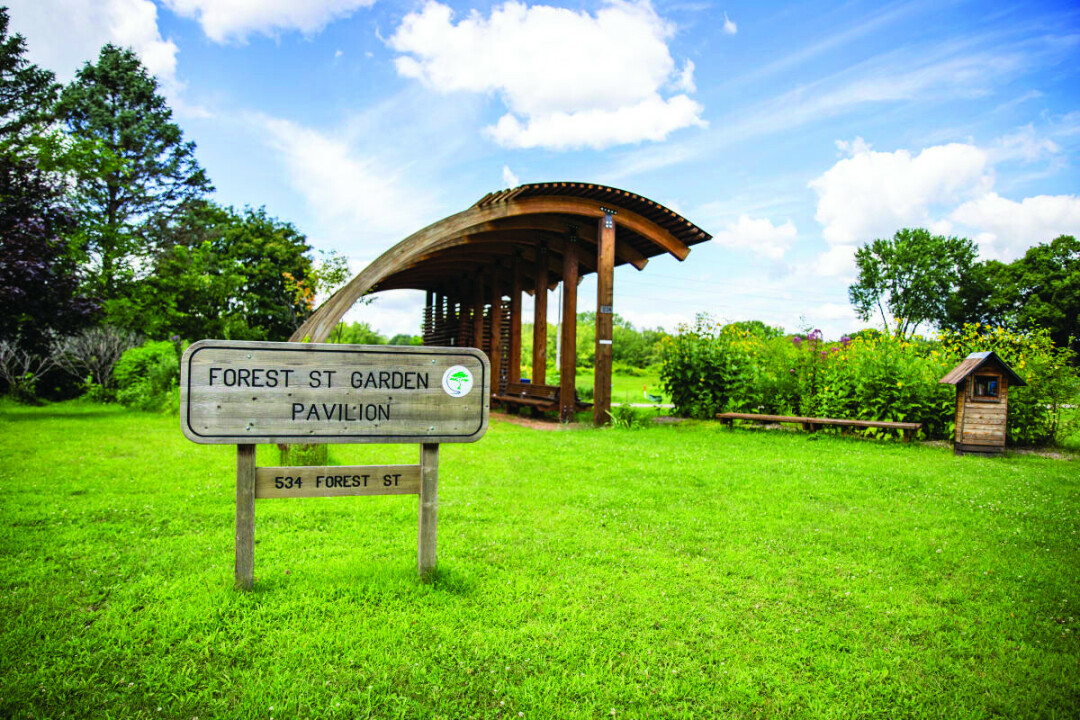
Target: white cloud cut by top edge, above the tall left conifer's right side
x: 225, y: 21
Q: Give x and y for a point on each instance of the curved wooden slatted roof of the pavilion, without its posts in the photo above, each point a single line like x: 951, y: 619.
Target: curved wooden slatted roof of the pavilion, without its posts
x: 515, y: 226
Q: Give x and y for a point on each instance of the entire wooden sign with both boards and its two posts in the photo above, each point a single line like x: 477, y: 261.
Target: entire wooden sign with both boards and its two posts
x: 250, y: 393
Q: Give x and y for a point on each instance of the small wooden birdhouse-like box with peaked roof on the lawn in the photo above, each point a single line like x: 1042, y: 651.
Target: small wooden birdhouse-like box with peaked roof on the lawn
x: 982, y: 403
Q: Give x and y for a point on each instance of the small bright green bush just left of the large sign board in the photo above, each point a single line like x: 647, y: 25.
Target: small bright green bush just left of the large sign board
x: 148, y: 377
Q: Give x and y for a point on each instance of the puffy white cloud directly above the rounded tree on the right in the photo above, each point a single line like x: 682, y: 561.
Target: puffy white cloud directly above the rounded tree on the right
x: 872, y: 195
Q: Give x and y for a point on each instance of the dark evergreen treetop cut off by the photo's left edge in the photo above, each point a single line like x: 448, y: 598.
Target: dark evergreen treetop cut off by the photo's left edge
x: 28, y: 93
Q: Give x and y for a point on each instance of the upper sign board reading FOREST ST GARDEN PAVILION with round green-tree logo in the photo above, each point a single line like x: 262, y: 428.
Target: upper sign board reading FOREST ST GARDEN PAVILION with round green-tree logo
x: 237, y: 392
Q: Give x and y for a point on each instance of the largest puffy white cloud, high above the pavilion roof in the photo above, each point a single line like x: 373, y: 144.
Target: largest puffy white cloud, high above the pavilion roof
x: 569, y: 79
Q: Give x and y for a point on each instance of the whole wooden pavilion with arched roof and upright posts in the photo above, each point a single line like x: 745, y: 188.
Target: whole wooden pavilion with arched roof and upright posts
x: 476, y: 265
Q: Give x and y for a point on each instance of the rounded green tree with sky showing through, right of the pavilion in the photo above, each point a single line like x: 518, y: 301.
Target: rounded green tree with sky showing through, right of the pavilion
x: 913, y: 275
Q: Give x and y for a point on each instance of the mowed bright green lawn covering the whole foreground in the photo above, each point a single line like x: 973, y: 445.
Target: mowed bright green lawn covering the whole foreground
x: 684, y: 572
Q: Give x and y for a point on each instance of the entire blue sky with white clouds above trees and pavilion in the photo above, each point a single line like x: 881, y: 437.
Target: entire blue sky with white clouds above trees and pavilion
x: 792, y: 132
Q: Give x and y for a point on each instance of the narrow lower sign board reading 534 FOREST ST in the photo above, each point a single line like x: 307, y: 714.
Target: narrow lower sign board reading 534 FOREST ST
x: 336, y: 481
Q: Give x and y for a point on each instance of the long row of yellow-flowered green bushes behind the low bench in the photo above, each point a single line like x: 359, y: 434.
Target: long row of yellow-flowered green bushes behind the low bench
x: 708, y: 369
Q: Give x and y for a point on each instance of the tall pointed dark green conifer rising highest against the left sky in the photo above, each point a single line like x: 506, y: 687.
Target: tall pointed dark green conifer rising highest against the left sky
x: 143, y: 168
